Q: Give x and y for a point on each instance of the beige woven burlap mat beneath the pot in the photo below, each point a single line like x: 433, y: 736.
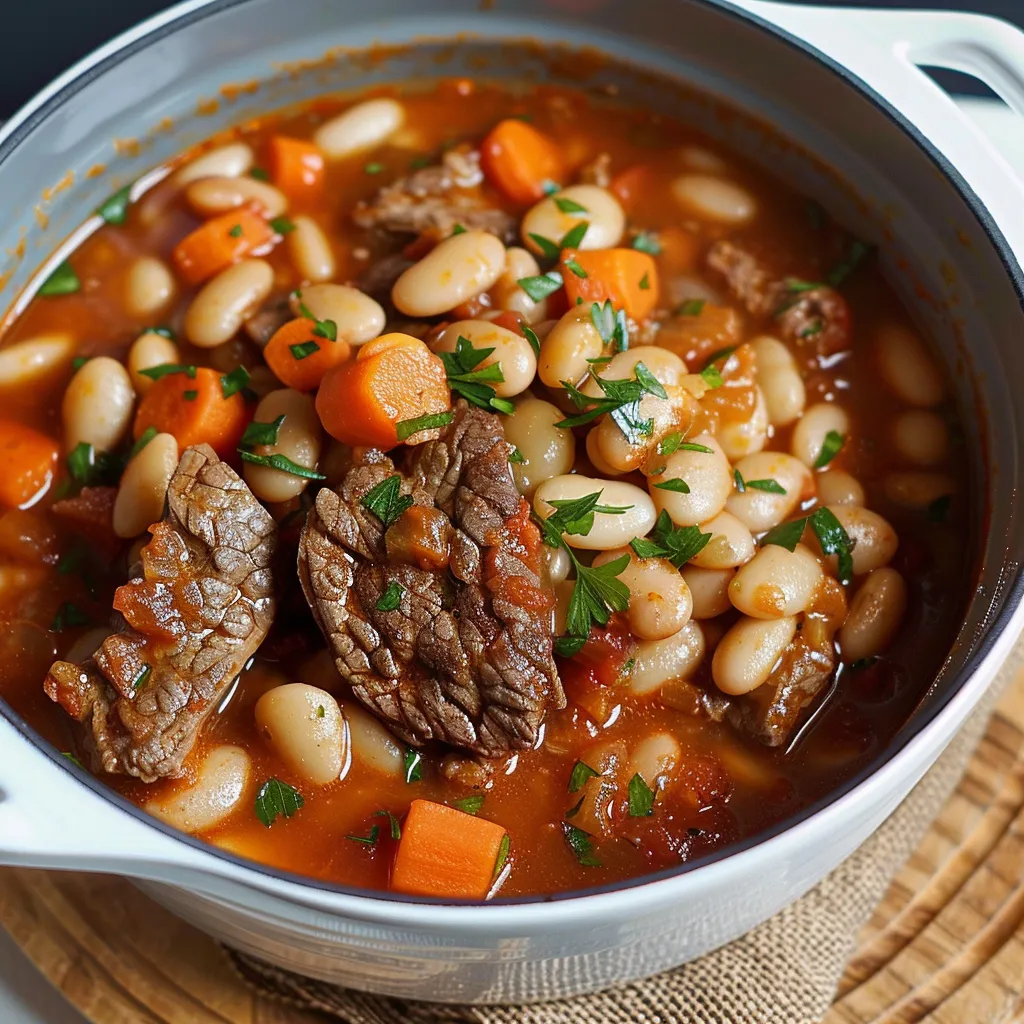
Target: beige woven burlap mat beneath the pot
x: 784, y: 972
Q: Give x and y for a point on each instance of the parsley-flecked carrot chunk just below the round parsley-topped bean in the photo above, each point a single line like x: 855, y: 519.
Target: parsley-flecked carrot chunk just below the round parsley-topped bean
x: 627, y: 277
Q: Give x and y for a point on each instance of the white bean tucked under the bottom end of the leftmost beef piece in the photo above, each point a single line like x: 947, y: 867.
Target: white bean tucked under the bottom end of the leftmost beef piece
x: 218, y: 790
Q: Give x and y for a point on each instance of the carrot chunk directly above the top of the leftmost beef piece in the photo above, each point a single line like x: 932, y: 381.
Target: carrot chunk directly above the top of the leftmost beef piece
x: 195, y: 411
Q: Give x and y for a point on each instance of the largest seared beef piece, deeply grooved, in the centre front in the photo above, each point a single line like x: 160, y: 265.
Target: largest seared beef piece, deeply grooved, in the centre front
x: 466, y: 657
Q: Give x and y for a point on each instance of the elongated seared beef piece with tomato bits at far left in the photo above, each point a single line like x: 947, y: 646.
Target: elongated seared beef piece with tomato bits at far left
x: 187, y: 628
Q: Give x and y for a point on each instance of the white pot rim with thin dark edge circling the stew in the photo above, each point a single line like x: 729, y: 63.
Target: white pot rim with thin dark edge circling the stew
x: 959, y: 698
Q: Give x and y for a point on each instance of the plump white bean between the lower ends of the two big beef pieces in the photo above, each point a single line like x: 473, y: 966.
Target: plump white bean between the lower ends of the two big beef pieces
x: 307, y: 729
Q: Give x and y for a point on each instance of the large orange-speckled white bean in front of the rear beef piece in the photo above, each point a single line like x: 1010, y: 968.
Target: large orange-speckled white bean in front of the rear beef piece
x: 455, y: 271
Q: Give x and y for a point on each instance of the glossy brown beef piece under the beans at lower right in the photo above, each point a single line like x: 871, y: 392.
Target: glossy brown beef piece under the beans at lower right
x: 772, y: 712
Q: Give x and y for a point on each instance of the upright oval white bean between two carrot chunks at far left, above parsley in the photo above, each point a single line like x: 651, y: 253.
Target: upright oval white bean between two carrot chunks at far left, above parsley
x: 98, y: 405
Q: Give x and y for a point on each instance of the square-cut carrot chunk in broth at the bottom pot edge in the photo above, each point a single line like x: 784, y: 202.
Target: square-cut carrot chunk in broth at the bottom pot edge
x: 445, y: 852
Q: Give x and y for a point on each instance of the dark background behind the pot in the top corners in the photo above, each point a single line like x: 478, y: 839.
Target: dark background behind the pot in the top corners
x: 45, y: 37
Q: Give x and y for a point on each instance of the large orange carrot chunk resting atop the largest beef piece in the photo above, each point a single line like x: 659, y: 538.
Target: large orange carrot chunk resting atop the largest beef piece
x: 394, y: 378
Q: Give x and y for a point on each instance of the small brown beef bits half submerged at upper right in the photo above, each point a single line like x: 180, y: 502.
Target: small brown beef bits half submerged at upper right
x: 818, y: 318
